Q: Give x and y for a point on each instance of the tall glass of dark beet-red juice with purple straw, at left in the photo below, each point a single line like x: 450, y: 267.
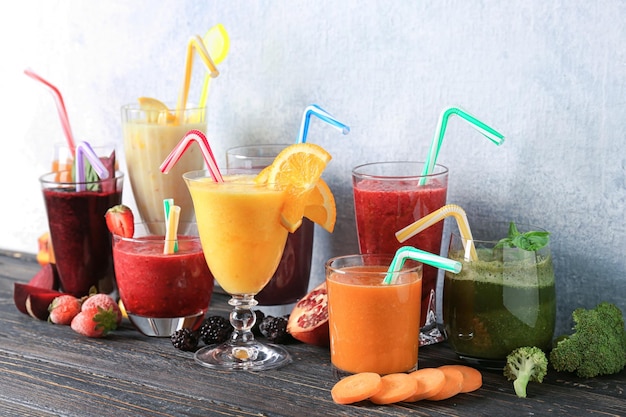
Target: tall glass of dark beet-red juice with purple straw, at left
x: 80, y: 238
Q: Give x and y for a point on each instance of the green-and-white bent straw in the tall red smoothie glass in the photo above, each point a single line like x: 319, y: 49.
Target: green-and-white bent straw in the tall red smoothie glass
x: 487, y: 131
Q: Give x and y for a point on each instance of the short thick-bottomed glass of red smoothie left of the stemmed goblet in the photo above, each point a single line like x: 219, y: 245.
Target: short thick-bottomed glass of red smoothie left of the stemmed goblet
x: 162, y: 293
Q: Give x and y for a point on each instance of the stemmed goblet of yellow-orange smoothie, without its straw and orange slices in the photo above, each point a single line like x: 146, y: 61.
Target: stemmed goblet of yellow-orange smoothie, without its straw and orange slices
x: 243, y: 241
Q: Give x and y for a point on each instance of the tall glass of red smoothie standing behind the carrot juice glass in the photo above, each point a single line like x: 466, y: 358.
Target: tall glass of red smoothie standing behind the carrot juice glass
x: 389, y: 196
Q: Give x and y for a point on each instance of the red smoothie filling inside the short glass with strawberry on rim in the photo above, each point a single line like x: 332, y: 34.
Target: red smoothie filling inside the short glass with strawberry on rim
x: 155, y: 285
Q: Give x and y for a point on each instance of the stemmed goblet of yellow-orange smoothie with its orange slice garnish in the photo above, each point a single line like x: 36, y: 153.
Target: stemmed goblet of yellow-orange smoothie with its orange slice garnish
x: 244, y: 218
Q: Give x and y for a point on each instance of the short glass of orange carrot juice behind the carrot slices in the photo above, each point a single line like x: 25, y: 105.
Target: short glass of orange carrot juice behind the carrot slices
x: 374, y: 327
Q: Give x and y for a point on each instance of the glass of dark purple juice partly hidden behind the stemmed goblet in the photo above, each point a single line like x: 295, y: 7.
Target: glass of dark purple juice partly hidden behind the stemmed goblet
x: 291, y: 279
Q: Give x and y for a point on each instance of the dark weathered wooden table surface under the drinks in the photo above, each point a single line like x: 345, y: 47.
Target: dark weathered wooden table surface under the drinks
x: 49, y: 370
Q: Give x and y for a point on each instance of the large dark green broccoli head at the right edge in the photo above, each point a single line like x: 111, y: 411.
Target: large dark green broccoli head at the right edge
x: 597, y: 346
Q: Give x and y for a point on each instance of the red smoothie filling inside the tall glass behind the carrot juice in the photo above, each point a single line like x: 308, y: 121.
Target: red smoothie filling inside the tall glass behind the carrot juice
x: 381, y: 210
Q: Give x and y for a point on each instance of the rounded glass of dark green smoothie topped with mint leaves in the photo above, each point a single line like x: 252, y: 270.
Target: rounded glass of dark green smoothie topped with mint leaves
x: 503, y: 299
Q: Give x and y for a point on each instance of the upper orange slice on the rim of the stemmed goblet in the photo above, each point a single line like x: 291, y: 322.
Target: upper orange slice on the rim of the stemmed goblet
x: 297, y: 169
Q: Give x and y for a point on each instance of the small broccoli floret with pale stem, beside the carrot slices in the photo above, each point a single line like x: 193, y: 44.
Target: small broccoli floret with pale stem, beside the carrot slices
x: 523, y: 365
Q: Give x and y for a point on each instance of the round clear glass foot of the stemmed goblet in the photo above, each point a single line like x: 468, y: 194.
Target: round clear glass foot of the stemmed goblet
x: 253, y: 356
